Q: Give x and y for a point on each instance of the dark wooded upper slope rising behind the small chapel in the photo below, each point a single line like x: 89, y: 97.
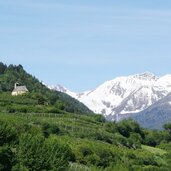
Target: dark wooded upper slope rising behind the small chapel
x: 11, y: 74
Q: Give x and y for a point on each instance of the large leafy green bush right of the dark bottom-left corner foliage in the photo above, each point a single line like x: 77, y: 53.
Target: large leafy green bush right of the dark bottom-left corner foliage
x: 37, y: 153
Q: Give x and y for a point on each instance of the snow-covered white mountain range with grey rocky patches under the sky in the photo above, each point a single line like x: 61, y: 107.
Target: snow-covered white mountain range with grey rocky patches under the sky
x: 123, y: 95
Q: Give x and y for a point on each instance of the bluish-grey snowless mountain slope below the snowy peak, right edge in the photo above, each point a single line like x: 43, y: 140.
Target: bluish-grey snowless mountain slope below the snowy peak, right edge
x: 155, y: 116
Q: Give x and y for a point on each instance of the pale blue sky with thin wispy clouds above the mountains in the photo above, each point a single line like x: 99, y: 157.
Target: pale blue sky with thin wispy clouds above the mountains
x: 81, y: 44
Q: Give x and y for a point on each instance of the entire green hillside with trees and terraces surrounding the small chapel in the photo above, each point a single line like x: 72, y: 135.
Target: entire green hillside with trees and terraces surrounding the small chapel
x: 45, y: 130
